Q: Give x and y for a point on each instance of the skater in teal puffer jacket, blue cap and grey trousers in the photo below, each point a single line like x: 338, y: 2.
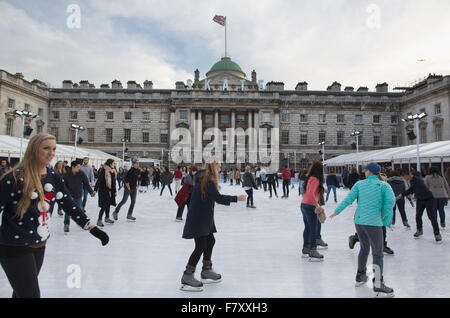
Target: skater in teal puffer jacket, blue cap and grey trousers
x: 375, y: 210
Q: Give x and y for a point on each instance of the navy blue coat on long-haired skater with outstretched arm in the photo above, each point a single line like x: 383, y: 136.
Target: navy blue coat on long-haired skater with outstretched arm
x: 200, y: 216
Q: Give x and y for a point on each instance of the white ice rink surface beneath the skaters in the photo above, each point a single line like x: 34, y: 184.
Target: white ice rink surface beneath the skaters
x: 257, y: 251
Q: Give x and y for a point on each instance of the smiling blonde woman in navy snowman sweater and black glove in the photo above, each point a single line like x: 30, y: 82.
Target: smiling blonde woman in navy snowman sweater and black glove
x: 27, y: 194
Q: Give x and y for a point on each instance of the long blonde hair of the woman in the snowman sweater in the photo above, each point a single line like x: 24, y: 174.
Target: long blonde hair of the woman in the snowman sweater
x: 30, y: 170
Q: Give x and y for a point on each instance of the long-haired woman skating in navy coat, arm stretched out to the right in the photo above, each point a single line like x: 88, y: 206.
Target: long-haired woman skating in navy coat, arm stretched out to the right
x: 200, y: 224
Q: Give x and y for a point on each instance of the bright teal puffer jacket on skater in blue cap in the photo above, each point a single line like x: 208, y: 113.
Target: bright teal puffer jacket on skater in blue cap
x: 375, y: 202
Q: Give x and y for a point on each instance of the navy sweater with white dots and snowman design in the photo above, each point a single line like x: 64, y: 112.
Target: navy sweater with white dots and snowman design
x: 34, y: 227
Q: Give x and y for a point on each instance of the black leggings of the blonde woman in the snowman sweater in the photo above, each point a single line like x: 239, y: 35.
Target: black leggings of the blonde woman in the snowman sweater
x: 22, y: 266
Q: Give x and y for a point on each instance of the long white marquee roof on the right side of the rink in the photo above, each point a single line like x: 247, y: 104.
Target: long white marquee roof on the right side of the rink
x: 436, y: 152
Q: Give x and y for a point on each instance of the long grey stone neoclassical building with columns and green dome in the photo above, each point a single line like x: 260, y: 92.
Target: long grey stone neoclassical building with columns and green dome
x: 226, y: 98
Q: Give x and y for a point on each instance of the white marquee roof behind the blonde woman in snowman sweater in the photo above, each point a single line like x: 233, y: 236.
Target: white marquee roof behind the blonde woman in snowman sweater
x: 10, y: 148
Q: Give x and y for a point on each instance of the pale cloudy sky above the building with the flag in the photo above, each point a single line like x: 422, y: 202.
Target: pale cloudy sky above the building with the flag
x: 355, y: 42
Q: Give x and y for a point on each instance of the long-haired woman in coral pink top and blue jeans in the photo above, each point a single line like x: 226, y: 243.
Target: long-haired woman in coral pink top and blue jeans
x: 313, y: 185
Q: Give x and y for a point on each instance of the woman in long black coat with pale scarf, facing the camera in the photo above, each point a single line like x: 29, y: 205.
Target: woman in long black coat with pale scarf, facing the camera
x: 106, y: 189
